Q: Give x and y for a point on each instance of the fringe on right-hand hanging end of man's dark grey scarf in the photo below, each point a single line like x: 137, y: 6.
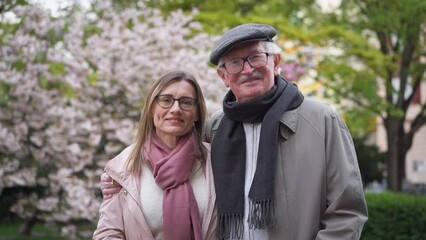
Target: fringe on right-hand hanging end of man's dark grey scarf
x: 261, y: 214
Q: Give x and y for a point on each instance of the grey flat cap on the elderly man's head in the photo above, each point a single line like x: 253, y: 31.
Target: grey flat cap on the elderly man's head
x: 242, y: 33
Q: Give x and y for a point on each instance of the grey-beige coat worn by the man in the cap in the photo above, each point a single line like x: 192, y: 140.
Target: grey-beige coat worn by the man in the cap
x: 318, y: 187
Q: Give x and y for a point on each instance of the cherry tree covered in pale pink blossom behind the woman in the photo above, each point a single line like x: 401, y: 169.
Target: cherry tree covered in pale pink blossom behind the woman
x: 72, y: 89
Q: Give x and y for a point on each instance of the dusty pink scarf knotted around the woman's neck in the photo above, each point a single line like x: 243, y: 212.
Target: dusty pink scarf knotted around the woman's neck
x: 171, y: 169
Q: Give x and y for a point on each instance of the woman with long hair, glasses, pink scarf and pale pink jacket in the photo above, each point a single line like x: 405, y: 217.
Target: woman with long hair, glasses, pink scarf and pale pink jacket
x: 167, y: 186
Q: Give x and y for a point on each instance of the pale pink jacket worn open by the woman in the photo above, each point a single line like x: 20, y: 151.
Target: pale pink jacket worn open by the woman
x: 121, y: 217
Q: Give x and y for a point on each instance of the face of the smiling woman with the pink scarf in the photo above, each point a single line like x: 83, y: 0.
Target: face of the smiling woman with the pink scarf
x: 173, y: 122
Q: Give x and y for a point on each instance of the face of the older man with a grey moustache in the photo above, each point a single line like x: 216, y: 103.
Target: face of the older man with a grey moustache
x: 250, y: 82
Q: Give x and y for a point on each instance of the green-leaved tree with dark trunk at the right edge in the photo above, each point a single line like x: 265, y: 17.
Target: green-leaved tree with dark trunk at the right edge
x: 384, y: 48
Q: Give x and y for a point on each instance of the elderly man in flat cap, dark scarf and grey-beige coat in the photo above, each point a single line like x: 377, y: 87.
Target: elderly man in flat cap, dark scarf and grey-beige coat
x: 284, y: 167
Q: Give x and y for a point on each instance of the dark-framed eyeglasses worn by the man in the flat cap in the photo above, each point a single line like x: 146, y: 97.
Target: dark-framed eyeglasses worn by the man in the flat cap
x: 256, y: 60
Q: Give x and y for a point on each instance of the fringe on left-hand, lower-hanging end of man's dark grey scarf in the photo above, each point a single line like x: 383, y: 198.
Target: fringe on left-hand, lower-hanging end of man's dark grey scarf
x: 230, y: 226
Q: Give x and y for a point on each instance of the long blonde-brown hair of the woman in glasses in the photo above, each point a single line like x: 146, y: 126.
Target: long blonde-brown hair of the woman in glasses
x: 146, y: 123
